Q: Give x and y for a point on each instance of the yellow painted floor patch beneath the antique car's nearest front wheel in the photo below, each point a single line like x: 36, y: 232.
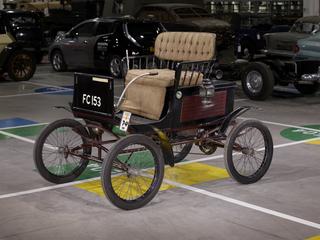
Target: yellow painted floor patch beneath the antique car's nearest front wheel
x: 189, y: 174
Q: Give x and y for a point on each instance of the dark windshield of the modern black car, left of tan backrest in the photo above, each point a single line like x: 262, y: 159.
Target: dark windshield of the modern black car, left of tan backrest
x: 143, y: 31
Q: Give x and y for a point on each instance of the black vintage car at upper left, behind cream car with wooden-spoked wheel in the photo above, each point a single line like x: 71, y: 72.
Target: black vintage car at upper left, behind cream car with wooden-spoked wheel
x: 25, y: 28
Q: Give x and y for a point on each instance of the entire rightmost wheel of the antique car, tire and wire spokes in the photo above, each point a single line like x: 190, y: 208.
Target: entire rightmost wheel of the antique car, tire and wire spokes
x: 248, y: 151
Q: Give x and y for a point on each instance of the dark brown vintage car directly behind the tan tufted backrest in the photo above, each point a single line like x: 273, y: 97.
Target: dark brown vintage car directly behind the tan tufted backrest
x: 187, y: 17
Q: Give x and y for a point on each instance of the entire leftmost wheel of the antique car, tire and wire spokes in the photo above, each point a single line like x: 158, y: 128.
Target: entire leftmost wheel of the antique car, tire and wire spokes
x: 59, y: 154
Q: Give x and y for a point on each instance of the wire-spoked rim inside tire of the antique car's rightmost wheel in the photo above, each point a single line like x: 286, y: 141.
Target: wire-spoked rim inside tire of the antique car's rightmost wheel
x: 250, y: 145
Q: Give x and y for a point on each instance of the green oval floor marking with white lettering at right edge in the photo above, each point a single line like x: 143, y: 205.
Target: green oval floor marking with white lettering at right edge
x: 298, y: 134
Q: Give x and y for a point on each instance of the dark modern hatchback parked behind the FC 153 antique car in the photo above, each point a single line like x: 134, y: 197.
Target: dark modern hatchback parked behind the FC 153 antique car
x: 101, y: 43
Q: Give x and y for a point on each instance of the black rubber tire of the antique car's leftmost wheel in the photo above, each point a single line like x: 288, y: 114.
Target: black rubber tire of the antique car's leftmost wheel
x: 38, y: 147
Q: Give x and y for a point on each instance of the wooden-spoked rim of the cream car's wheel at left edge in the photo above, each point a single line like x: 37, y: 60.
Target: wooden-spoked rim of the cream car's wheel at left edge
x: 22, y: 66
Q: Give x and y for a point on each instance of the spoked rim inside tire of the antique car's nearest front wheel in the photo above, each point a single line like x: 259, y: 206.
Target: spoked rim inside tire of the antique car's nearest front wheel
x: 135, y: 170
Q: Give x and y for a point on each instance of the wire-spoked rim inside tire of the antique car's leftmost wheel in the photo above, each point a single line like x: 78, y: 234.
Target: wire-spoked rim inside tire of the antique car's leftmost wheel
x: 57, y: 152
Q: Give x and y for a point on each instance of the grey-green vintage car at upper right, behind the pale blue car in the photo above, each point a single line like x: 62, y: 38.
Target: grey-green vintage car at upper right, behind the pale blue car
x: 284, y: 43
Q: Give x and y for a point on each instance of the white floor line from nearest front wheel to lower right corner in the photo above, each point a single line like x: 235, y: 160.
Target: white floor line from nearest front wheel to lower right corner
x: 246, y: 205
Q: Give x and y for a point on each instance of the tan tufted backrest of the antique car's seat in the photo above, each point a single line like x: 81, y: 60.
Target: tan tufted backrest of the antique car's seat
x: 185, y: 46
